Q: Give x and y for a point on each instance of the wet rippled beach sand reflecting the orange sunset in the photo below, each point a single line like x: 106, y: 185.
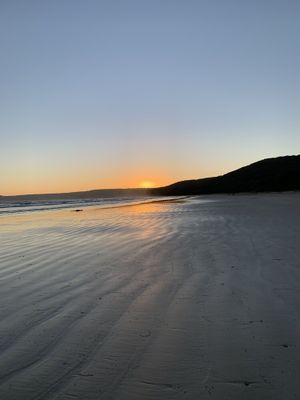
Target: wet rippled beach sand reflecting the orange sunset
x: 171, y: 300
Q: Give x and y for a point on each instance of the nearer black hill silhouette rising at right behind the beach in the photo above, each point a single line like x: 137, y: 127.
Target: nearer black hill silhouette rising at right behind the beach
x: 269, y: 175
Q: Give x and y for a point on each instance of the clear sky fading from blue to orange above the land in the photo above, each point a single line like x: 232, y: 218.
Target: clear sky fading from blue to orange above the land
x: 114, y: 93
